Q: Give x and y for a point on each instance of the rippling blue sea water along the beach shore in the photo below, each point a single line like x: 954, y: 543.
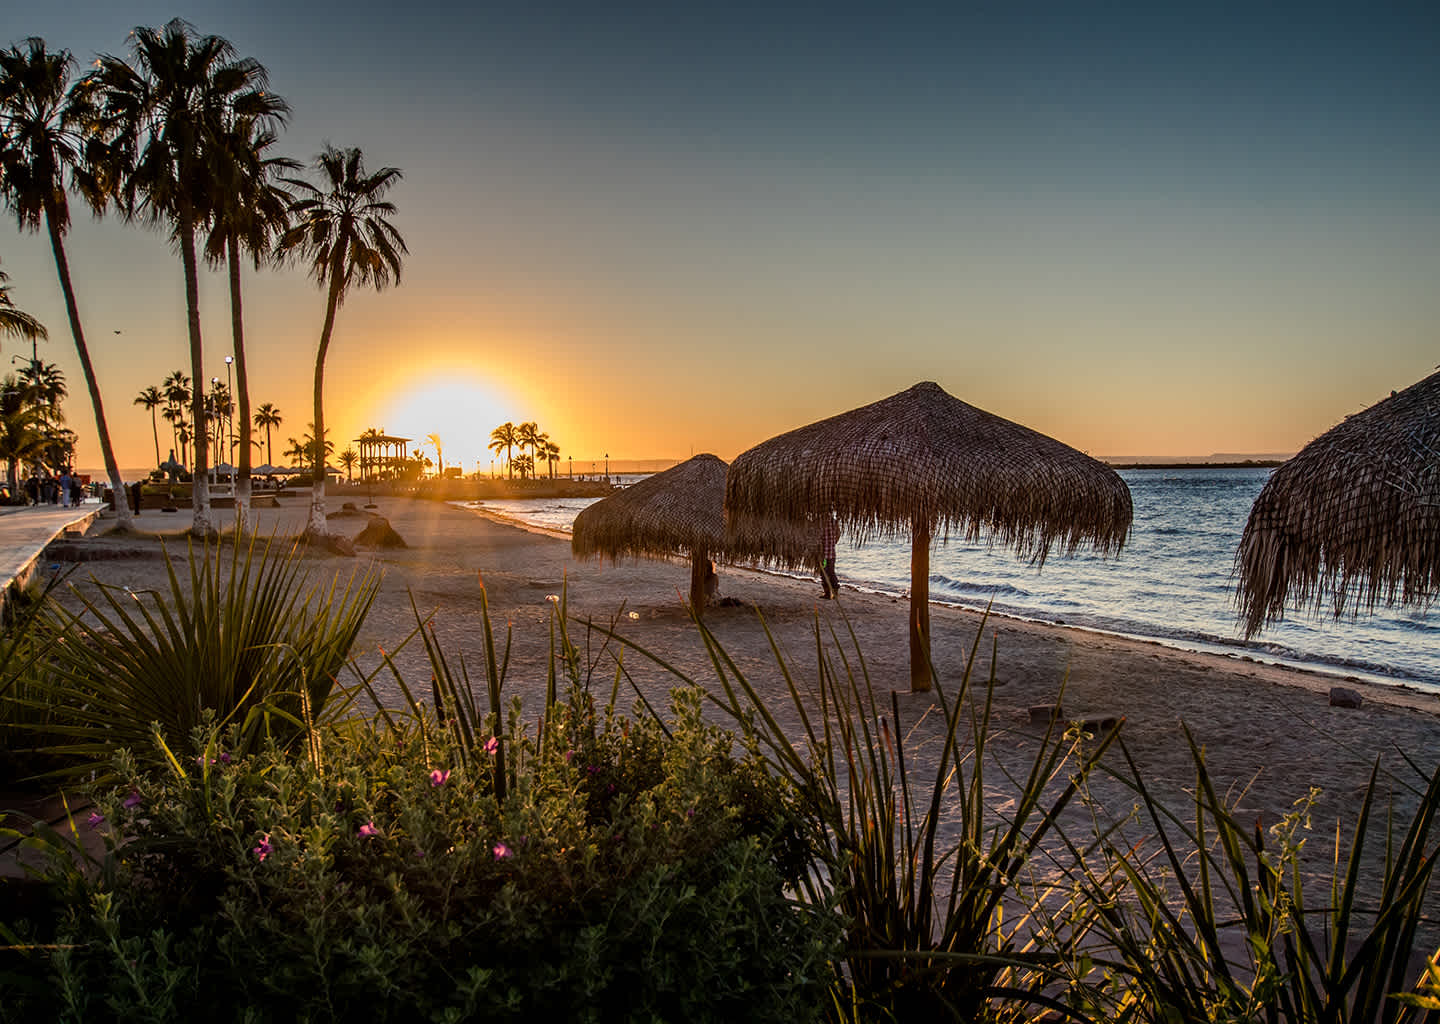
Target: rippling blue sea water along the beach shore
x: 1171, y: 584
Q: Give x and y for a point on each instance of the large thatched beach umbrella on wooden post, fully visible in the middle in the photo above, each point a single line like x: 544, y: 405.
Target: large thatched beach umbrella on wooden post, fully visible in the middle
x: 924, y: 462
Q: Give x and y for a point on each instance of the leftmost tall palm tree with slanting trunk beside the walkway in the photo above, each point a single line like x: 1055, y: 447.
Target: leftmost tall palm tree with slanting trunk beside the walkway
x: 42, y: 139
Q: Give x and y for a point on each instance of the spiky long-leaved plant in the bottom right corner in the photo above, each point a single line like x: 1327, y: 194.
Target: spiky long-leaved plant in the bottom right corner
x: 1218, y: 922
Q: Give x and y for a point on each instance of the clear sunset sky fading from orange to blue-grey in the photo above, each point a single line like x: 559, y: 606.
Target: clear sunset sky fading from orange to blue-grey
x: 663, y: 230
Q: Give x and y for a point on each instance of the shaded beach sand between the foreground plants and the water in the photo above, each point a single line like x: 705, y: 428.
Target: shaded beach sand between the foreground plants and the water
x: 1269, y: 732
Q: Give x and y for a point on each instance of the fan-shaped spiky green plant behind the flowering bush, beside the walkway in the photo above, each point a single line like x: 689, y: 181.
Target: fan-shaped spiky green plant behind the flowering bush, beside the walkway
x: 244, y: 639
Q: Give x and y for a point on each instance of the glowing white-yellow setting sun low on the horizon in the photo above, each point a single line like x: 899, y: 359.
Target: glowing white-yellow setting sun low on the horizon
x: 460, y: 410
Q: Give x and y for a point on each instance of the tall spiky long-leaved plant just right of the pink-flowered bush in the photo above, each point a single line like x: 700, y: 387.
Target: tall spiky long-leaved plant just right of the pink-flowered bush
x: 919, y: 862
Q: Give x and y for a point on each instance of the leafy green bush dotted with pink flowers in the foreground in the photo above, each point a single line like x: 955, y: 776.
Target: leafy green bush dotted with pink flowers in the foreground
x: 630, y: 872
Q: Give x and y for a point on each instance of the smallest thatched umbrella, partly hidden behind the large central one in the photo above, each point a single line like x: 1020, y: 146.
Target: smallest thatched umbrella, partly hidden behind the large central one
x: 680, y: 511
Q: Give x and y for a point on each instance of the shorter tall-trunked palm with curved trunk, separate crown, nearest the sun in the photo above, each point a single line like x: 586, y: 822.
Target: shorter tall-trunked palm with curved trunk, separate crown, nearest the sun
x: 345, y: 233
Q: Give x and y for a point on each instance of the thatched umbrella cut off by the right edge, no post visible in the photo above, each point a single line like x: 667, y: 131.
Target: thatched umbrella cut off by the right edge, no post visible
x: 1353, y: 519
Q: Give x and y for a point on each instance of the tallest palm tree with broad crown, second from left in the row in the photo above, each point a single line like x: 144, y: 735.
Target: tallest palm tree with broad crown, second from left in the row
x: 168, y: 117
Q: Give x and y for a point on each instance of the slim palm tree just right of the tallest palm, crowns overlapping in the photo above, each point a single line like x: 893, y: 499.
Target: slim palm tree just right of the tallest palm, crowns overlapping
x: 250, y: 214
